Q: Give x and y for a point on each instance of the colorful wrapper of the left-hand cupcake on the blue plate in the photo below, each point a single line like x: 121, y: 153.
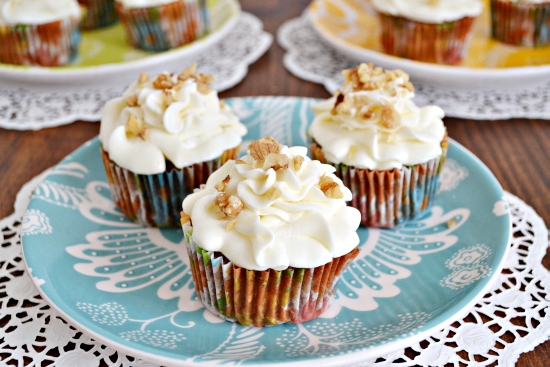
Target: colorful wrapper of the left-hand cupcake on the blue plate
x: 155, y: 200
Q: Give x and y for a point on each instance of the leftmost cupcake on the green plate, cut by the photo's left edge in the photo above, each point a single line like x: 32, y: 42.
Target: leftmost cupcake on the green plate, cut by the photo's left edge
x: 39, y: 32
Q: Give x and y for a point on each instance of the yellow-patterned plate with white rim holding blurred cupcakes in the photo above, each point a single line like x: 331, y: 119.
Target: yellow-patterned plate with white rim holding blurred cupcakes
x: 351, y: 27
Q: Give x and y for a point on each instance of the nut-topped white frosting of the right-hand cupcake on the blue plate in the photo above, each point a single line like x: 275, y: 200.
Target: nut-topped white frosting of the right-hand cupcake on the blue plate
x: 373, y: 122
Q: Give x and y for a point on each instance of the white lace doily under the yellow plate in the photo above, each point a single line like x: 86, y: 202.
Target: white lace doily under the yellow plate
x: 310, y: 58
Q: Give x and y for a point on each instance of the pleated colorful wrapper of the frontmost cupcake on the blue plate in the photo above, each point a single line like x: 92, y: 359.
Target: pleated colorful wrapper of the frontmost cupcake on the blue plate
x: 262, y: 298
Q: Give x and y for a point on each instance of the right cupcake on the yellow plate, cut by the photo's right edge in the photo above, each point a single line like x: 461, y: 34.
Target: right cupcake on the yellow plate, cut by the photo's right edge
x: 521, y: 22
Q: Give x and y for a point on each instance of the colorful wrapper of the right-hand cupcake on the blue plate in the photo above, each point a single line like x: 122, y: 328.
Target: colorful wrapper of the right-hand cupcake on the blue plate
x: 391, y: 197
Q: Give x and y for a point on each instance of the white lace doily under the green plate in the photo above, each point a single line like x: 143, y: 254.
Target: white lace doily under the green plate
x: 36, y: 107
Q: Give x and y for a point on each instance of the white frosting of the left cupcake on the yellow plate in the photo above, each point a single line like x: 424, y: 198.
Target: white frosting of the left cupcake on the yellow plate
x: 429, y: 11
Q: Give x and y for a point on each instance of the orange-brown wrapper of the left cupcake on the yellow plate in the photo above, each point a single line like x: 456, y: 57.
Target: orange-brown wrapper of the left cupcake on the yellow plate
x: 445, y: 43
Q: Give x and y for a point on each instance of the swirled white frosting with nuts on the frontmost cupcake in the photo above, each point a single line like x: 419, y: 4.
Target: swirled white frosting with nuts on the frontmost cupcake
x: 293, y: 215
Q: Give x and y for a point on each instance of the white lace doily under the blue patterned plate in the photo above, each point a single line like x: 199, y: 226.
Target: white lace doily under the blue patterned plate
x: 33, y: 334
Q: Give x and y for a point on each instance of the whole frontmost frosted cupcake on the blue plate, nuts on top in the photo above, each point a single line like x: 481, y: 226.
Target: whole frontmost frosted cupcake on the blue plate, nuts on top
x: 269, y: 236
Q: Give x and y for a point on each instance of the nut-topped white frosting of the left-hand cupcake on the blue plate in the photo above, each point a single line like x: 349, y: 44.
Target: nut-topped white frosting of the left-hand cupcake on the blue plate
x: 172, y: 117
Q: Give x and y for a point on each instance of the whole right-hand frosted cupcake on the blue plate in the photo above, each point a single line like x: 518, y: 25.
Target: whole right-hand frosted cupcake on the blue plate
x: 388, y: 151
